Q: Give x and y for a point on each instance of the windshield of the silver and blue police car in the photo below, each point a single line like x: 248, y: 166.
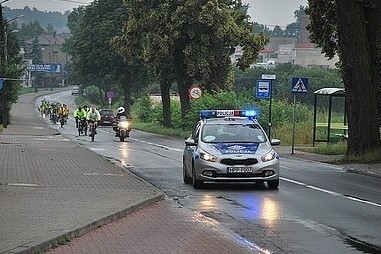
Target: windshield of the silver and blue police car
x: 228, y: 133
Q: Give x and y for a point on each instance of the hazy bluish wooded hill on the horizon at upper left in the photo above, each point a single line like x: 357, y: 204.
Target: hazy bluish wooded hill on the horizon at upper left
x: 57, y: 19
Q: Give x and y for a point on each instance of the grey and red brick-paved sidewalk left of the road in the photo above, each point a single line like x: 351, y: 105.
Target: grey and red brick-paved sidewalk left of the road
x: 53, y: 190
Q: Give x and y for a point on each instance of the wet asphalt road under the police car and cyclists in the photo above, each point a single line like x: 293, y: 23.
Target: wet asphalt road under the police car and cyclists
x: 319, y: 208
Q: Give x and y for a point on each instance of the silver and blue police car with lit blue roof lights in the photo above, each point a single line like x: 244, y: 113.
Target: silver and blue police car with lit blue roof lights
x: 230, y: 146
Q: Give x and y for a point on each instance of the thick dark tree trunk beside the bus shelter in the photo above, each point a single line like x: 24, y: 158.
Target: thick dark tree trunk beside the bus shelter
x: 361, y: 93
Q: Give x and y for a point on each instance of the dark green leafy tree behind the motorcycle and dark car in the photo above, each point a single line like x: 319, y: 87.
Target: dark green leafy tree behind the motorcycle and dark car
x: 93, y: 56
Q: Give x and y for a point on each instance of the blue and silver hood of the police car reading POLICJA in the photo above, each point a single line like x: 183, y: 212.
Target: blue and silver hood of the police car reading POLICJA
x: 237, y: 148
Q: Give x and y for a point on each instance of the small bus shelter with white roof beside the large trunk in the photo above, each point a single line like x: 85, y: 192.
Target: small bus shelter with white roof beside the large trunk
x: 329, y: 126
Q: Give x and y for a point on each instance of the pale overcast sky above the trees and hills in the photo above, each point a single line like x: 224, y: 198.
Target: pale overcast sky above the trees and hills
x: 267, y: 12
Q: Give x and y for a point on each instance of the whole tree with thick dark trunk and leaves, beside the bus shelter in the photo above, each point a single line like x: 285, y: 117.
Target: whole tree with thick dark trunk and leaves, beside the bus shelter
x: 350, y: 28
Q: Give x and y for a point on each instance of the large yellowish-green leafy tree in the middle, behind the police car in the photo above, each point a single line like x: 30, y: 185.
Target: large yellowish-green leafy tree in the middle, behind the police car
x: 192, y: 39
